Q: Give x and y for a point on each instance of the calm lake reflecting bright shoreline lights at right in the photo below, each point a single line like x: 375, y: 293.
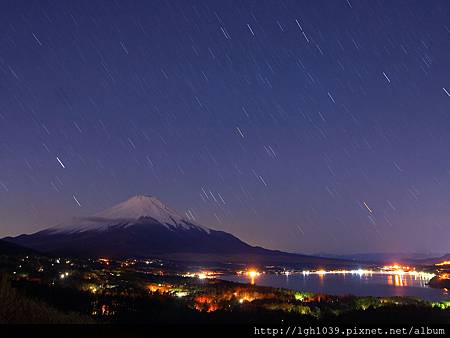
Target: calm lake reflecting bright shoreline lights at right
x: 363, y: 284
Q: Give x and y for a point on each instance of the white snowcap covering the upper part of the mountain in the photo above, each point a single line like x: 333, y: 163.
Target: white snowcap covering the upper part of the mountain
x: 137, y: 209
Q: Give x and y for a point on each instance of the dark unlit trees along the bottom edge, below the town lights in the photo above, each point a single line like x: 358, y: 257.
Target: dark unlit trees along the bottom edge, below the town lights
x: 28, y: 302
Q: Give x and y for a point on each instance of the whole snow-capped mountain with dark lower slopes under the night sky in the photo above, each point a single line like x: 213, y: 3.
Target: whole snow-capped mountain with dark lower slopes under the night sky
x: 143, y: 226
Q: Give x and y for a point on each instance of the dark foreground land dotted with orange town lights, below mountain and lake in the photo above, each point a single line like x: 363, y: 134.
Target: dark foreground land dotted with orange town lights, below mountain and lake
x: 45, y: 290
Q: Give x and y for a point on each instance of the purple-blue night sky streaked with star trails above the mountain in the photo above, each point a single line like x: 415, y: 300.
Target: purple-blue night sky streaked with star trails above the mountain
x: 308, y: 126
